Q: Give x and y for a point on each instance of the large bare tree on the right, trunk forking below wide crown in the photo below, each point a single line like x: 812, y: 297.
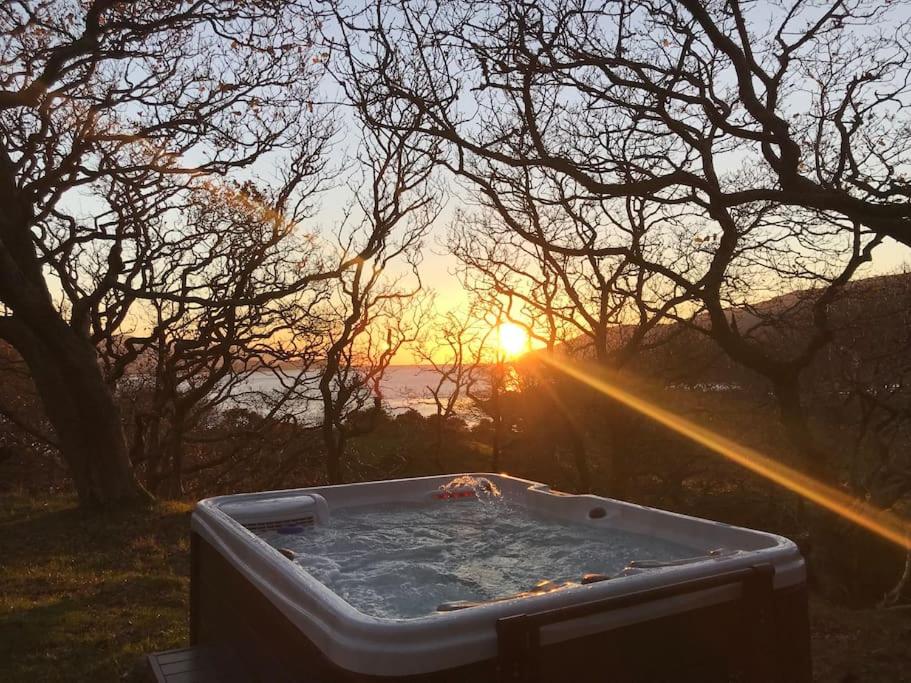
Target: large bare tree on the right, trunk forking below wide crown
x: 587, y: 108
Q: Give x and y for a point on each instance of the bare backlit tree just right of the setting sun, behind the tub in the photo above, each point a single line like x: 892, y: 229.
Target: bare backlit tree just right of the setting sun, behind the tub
x: 546, y: 258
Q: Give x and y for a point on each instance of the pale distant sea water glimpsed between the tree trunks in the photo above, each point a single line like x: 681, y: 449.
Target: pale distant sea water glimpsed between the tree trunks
x: 403, y: 387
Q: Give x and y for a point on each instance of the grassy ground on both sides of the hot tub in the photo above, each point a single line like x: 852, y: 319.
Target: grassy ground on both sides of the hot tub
x: 84, y: 597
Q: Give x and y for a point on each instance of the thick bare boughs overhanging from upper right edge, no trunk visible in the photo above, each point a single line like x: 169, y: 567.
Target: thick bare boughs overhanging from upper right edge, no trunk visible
x: 727, y: 106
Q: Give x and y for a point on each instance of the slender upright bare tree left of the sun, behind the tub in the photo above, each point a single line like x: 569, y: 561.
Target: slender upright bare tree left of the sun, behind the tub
x: 373, y: 314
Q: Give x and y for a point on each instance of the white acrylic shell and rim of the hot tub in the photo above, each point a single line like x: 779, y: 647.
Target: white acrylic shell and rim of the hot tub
x: 366, y: 644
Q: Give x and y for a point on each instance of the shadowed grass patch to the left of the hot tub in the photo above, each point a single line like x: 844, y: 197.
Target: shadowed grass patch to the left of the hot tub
x: 85, y: 596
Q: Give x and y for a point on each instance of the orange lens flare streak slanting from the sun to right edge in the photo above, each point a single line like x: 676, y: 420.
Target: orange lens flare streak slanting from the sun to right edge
x: 881, y: 522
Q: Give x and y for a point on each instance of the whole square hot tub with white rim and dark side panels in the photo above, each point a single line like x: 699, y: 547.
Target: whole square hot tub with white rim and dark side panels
x: 422, y: 580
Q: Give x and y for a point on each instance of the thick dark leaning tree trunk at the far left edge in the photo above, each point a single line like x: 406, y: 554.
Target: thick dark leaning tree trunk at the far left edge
x: 62, y: 361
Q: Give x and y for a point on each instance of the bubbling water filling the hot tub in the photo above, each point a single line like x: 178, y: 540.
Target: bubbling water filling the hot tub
x: 407, y: 560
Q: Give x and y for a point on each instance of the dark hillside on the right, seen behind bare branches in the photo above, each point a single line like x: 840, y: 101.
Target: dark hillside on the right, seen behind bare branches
x: 870, y: 322
